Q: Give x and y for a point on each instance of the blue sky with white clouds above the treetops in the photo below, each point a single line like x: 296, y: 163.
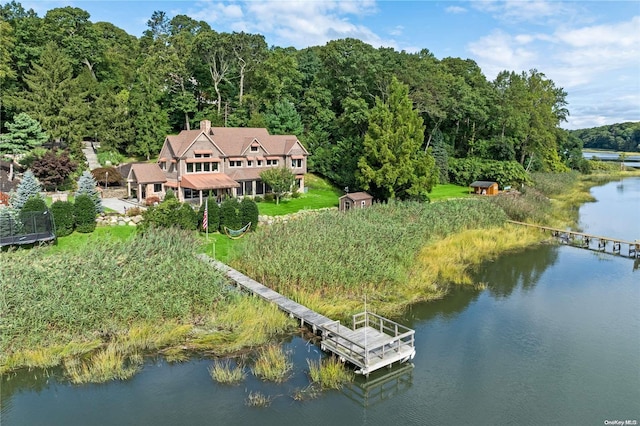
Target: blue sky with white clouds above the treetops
x: 589, y: 48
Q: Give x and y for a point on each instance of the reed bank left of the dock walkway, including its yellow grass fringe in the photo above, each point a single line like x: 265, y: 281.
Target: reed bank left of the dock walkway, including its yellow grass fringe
x: 106, y: 302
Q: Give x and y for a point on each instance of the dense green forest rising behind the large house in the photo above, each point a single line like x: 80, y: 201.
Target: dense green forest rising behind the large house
x: 346, y: 100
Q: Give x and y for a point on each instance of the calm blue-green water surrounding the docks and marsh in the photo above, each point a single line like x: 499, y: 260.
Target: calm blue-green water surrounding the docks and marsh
x: 554, y: 339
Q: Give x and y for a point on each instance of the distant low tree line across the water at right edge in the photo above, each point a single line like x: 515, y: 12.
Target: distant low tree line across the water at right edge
x: 616, y: 137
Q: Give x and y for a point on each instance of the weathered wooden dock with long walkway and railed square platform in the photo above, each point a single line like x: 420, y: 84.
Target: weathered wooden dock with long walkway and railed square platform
x: 372, y: 342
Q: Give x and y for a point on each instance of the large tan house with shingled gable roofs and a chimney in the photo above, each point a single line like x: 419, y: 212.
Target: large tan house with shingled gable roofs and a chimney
x: 220, y: 160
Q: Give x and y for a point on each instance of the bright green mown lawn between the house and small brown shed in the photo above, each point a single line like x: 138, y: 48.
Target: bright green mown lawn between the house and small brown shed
x: 320, y: 194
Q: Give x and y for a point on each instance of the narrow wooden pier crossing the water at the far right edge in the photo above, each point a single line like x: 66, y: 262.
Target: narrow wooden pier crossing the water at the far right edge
x: 591, y: 242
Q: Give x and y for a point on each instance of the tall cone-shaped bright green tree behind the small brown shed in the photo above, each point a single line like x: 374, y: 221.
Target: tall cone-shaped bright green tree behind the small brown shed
x: 393, y: 164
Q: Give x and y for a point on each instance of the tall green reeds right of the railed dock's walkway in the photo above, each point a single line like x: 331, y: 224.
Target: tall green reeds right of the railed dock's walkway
x: 329, y: 261
